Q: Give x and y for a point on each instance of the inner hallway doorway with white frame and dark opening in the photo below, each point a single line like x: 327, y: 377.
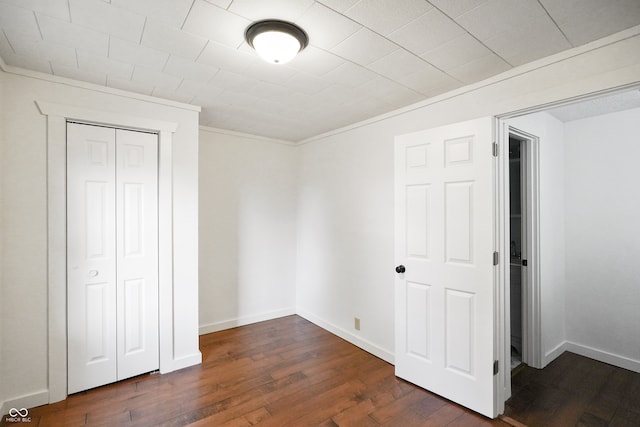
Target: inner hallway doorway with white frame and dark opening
x: 521, y: 243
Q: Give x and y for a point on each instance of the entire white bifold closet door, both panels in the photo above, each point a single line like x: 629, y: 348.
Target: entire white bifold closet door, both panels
x: 112, y: 255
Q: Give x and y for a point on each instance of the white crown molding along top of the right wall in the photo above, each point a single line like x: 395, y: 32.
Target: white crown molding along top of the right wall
x: 507, y: 75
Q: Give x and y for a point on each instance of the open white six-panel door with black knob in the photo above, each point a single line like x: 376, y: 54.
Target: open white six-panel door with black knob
x: 444, y: 203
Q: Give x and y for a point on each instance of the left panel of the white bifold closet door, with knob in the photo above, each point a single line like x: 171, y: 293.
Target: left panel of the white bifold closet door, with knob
x: 91, y: 257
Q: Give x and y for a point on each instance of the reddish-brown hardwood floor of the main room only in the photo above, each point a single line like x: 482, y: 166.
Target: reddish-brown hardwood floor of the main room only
x: 276, y: 373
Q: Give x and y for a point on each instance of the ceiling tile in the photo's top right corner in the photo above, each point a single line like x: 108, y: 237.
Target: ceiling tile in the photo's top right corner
x: 583, y: 21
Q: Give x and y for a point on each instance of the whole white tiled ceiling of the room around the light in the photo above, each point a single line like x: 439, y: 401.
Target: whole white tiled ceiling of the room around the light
x: 365, y: 58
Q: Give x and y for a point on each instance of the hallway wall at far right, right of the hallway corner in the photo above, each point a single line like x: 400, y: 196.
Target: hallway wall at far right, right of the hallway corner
x: 603, y: 237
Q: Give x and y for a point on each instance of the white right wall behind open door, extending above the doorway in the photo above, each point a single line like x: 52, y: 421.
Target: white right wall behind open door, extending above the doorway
x: 345, y: 201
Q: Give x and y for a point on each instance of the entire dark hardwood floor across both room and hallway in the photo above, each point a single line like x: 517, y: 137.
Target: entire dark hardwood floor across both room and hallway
x: 289, y: 372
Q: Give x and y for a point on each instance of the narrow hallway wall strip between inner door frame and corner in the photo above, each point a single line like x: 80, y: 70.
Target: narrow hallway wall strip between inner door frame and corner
x: 552, y: 227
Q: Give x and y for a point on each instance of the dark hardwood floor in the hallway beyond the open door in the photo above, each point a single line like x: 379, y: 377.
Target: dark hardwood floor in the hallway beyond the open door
x: 575, y: 391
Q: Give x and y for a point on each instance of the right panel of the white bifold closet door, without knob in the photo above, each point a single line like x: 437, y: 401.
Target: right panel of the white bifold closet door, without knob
x: 137, y: 252
